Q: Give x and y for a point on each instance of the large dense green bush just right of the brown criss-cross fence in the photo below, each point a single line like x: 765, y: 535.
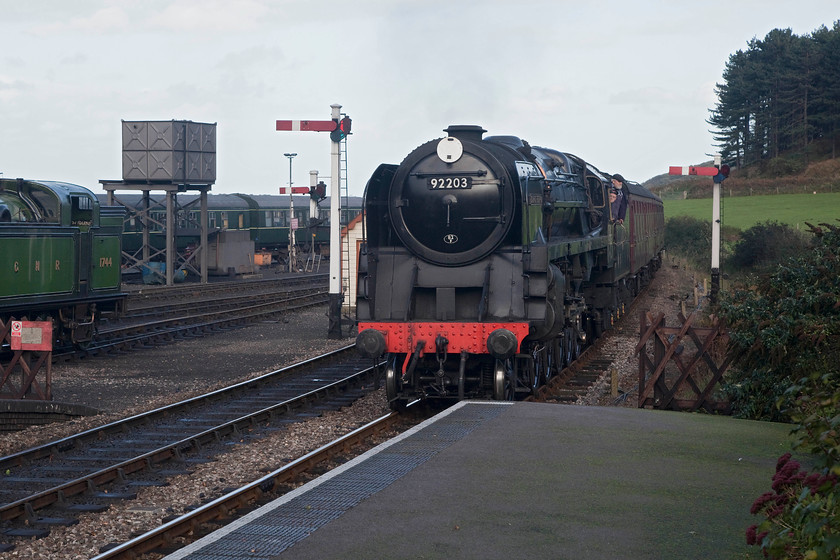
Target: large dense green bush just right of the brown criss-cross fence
x: 781, y: 328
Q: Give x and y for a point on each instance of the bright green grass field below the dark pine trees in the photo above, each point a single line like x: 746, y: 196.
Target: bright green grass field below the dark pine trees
x: 744, y: 212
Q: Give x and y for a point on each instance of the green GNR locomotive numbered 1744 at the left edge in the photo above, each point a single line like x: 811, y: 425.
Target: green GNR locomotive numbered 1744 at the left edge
x: 59, y: 257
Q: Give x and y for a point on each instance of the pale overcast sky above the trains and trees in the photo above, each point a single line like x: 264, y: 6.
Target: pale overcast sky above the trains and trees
x: 626, y: 85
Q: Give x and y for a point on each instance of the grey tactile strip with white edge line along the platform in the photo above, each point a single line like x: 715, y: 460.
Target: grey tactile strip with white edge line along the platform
x: 266, y: 532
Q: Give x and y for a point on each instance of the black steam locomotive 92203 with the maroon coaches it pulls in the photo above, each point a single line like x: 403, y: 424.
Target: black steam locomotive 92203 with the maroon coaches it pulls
x: 489, y: 264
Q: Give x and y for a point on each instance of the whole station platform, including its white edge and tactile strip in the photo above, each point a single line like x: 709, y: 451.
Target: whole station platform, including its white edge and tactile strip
x: 494, y: 480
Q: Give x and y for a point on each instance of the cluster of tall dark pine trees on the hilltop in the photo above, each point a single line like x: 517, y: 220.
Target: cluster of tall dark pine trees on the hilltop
x: 780, y: 95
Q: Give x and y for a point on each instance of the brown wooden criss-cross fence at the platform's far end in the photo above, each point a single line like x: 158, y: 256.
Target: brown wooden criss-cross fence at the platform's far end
x: 680, y: 368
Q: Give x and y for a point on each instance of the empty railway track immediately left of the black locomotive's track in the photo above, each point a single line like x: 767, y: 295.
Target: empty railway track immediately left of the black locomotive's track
x: 52, y: 484
